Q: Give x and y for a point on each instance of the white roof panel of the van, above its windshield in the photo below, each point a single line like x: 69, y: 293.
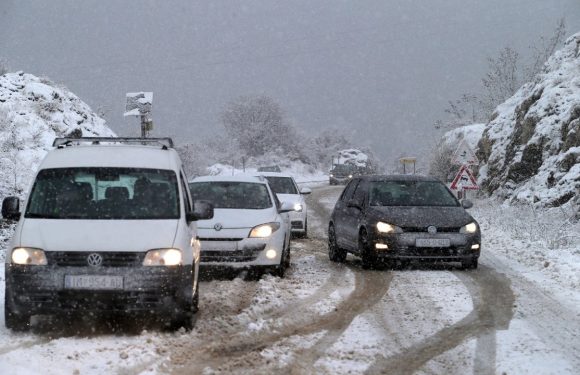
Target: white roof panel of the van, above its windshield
x: 131, y: 156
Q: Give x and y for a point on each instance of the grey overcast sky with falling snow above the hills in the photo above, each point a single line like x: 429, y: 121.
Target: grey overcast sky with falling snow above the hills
x: 381, y: 71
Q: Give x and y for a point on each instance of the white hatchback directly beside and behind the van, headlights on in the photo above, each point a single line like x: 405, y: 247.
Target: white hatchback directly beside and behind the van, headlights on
x: 250, y: 228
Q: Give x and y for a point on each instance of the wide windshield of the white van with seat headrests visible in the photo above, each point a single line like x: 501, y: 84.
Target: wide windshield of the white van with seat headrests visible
x: 104, y: 193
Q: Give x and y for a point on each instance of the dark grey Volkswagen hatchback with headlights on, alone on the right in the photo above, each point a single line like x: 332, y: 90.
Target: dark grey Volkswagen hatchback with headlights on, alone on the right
x: 401, y: 218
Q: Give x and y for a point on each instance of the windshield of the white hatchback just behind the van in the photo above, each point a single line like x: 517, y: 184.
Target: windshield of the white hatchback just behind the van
x: 228, y: 194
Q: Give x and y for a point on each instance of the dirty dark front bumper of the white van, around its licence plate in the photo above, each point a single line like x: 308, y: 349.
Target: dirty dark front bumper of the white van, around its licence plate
x: 33, y: 290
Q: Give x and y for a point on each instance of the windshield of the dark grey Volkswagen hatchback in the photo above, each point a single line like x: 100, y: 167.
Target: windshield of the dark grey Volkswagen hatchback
x: 410, y: 193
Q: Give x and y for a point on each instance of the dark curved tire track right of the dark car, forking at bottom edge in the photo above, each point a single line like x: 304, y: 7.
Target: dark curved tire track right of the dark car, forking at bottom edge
x: 493, y: 302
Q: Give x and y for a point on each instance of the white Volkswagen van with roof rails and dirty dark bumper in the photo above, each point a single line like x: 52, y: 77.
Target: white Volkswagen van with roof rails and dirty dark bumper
x: 108, y: 227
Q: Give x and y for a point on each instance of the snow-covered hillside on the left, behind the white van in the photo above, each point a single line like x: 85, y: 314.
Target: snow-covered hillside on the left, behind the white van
x: 33, y: 111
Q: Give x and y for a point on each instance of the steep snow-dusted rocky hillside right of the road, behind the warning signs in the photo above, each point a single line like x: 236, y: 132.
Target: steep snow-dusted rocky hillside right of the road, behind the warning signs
x: 530, y: 151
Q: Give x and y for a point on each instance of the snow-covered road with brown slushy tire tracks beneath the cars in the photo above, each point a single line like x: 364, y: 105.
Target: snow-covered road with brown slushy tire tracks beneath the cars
x: 330, y: 318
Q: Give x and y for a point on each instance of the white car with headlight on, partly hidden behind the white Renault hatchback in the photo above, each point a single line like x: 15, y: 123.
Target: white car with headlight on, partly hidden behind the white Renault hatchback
x: 287, y: 190
